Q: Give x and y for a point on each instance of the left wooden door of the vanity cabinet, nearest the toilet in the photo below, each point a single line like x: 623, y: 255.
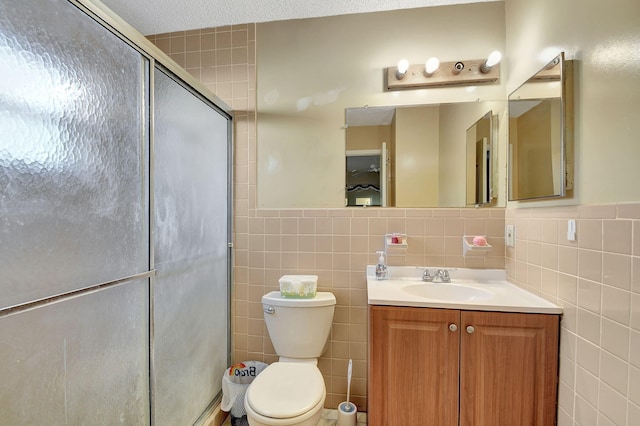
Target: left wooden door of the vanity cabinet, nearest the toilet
x: 413, y: 366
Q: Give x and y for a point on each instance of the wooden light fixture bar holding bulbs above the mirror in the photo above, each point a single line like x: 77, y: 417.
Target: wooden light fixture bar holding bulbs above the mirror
x: 415, y: 77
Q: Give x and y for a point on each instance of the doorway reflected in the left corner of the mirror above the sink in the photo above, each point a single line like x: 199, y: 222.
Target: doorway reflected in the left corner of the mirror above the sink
x: 366, y: 177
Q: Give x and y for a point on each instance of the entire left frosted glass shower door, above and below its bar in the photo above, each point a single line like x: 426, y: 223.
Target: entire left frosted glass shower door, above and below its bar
x: 74, y: 220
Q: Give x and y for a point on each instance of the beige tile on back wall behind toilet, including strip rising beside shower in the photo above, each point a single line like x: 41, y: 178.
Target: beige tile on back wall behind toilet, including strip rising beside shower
x: 335, y: 244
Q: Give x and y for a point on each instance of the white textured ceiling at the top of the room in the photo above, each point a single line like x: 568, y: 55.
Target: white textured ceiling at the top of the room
x: 162, y: 16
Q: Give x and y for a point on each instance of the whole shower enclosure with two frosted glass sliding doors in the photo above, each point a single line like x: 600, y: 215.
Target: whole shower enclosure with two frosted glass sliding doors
x: 115, y: 210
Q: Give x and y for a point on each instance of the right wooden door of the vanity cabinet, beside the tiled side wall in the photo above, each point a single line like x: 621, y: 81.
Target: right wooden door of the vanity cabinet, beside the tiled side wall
x: 509, y: 369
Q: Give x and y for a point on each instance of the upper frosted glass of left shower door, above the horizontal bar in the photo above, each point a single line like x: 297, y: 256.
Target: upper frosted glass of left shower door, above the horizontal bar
x: 74, y: 207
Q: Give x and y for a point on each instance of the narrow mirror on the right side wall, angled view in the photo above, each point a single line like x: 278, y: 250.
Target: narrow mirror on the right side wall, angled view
x: 540, y: 134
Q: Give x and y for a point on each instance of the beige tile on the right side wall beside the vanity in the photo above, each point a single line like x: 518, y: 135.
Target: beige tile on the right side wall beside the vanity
x: 597, y: 281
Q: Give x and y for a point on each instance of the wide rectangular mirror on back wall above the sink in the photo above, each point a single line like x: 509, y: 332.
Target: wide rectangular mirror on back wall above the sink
x: 422, y: 155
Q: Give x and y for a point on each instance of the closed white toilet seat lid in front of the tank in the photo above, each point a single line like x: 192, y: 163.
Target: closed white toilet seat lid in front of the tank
x: 286, y: 390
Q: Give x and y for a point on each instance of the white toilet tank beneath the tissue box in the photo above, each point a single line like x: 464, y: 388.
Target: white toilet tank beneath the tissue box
x: 299, y: 328
